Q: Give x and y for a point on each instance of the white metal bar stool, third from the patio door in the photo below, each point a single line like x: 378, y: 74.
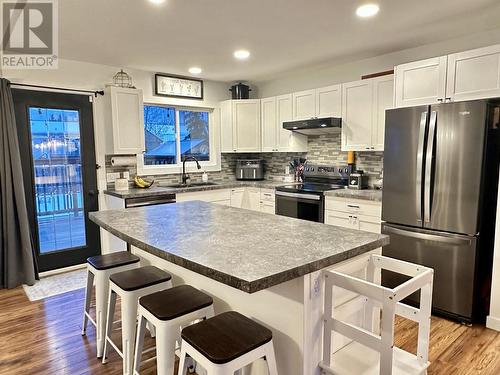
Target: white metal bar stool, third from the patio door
x: 168, y: 311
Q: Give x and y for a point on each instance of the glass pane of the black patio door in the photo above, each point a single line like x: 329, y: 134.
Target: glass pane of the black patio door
x: 57, y: 165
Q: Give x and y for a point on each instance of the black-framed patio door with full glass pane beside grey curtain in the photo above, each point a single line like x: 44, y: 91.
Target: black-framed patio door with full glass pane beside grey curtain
x: 57, y: 138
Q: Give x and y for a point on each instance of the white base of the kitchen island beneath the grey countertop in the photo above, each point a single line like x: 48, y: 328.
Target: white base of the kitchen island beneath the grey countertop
x: 292, y: 310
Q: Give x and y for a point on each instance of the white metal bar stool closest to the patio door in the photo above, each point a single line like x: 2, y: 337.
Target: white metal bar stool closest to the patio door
x: 100, y: 268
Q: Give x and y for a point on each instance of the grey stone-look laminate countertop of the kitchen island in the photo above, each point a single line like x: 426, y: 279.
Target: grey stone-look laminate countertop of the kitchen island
x: 247, y: 250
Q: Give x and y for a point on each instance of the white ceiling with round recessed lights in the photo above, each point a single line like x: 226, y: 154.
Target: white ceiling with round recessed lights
x: 282, y: 35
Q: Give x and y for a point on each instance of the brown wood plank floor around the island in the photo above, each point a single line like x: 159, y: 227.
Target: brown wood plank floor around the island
x: 43, y: 337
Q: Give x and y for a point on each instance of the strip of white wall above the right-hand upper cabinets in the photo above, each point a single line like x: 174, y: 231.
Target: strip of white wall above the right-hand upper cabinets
x: 331, y: 73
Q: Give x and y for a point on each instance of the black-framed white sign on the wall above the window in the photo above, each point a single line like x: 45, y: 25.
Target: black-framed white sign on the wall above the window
x: 178, y: 86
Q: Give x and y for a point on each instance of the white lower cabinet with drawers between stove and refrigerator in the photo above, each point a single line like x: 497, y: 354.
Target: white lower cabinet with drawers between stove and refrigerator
x: 353, y: 214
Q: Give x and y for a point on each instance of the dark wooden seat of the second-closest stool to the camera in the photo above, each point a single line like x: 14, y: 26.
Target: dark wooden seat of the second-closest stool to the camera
x: 175, y: 302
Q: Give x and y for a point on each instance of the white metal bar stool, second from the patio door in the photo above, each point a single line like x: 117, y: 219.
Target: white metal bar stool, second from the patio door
x: 130, y: 286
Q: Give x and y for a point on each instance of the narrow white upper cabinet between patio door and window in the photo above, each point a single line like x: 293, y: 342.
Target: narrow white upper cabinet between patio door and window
x: 126, y: 109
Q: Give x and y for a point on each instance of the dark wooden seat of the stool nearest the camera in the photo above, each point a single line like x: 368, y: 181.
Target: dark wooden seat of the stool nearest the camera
x: 226, y: 337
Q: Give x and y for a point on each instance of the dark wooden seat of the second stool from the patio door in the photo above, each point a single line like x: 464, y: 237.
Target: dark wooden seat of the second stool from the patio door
x: 139, y: 278
